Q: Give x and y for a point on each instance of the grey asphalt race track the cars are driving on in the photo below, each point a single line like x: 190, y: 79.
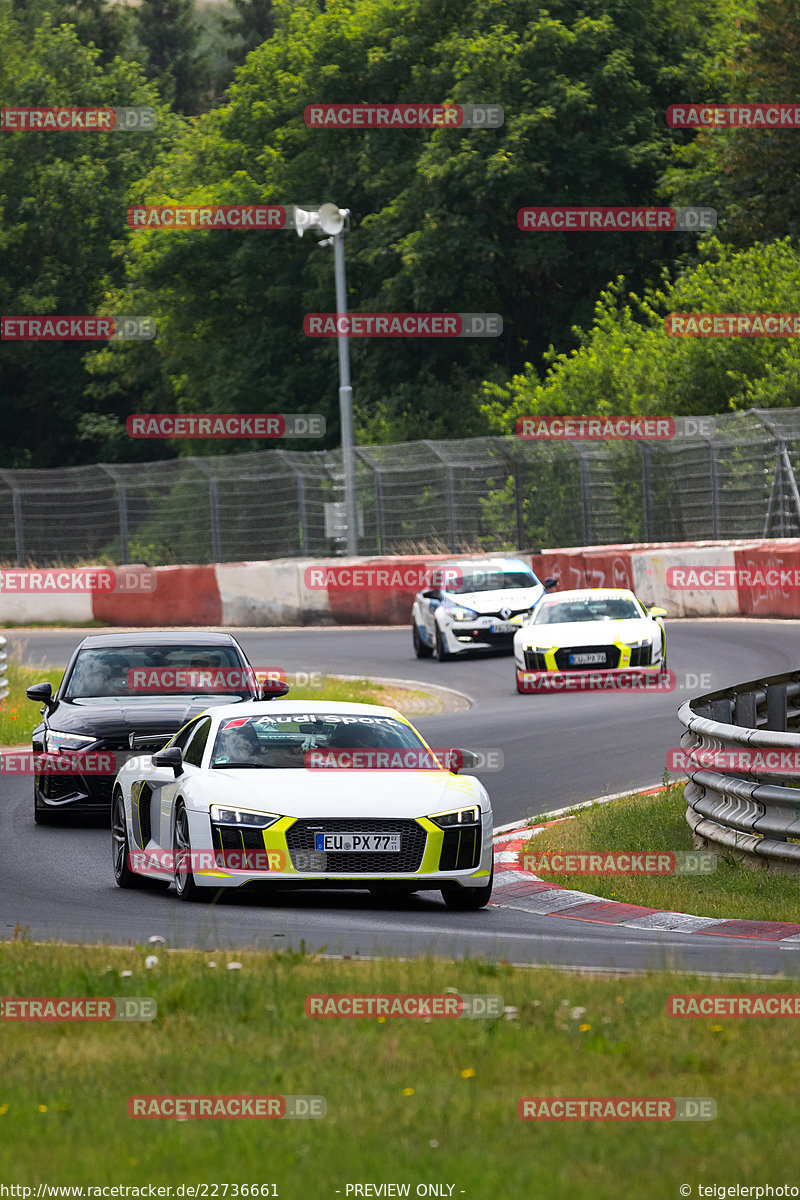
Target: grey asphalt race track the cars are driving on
x: 558, y: 749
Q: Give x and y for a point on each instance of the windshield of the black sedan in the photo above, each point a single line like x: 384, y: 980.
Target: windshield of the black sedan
x: 159, y: 671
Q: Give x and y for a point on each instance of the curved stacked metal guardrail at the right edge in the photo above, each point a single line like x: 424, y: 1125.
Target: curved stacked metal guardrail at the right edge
x: 754, y: 813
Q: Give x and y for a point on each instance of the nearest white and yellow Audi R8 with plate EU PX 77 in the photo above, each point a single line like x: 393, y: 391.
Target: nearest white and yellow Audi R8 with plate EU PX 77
x: 306, y: 795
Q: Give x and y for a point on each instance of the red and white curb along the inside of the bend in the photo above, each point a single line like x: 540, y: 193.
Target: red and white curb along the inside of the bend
x: 521, y: 890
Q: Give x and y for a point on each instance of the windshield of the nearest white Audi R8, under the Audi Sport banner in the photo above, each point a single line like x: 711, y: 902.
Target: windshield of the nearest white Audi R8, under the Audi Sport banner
x: 285, y: 740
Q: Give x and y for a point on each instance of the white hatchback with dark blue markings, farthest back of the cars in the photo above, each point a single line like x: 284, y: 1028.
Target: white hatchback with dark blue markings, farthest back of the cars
x: 470, y: 607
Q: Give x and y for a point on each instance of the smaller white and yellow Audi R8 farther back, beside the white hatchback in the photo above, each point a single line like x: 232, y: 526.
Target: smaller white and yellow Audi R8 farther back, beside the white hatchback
x: 592, y: 629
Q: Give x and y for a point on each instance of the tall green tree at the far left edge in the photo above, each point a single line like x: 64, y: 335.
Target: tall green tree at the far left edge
x: 63, y: 200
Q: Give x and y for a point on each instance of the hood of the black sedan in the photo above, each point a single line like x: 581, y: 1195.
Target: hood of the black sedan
x: 113, y: 717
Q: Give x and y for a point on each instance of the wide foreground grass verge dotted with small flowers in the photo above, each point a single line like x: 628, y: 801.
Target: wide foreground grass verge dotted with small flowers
x: 408, y: 1101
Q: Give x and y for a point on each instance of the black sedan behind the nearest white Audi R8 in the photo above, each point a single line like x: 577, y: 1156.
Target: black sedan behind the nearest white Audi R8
x: 124, y: 694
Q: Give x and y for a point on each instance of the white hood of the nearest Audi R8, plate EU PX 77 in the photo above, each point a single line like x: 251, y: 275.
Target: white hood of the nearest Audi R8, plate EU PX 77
x: 336, y: 793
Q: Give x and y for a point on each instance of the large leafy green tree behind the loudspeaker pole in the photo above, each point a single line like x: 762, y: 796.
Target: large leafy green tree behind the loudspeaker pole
x: 585, y: 91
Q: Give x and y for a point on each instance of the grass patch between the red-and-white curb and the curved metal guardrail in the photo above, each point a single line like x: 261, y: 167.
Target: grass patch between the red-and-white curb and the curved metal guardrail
x: 659, y: 823
